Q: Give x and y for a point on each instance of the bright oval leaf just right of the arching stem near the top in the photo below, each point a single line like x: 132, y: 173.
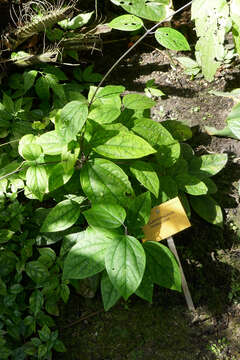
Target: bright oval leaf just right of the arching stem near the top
x: 171, y: 39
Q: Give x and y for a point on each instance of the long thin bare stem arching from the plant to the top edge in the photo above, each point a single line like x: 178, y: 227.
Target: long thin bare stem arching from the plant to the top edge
x: 132, y: 47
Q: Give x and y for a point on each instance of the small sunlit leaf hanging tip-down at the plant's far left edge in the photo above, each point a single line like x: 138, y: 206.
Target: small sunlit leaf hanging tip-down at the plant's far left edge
x: 37, y: 180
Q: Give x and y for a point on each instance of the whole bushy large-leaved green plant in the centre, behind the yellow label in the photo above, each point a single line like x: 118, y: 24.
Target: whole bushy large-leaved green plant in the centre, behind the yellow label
x: 107, y: 155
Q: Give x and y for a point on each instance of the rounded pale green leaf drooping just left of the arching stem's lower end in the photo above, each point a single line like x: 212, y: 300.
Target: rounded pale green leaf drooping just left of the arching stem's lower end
x: 71, y: 120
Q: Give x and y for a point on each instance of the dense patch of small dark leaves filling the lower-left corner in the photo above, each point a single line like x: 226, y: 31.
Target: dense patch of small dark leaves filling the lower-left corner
x: 30, y: 287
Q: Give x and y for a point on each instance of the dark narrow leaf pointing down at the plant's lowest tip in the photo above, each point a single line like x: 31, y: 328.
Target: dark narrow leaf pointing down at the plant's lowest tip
x: 110, y: 295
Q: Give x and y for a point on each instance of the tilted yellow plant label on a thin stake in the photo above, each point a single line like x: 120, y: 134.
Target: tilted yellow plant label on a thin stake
x: 166, y: 220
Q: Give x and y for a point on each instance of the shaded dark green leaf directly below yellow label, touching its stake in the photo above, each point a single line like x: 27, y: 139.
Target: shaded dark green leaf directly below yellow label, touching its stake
x: 162, y: 266
